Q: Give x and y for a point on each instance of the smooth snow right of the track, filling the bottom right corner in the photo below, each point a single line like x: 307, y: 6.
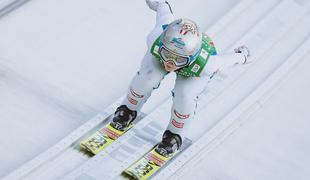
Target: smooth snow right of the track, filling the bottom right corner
x: 273, y: 144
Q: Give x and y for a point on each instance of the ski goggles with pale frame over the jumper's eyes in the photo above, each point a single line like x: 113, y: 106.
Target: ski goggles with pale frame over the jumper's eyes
x: 167, y: 55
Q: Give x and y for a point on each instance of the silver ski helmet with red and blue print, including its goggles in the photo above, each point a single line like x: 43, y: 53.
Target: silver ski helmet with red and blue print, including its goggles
x: 180, y: 42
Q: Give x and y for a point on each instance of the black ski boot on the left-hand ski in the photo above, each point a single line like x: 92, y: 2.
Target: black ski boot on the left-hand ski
x: 123, y: 118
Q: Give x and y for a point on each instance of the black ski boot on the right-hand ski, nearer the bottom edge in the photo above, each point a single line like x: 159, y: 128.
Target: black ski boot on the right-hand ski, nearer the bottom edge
x: 169, y: 145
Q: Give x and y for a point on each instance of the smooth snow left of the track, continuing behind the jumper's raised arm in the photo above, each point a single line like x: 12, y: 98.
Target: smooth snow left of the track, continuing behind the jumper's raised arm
x: 58, y: 66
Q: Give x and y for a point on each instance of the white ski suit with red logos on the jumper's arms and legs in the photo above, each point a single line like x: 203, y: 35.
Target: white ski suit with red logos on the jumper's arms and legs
x: 187, y: 89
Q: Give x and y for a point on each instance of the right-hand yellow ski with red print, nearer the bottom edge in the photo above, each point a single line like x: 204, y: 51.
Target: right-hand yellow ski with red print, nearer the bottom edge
x: 151, y: 162
